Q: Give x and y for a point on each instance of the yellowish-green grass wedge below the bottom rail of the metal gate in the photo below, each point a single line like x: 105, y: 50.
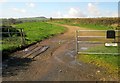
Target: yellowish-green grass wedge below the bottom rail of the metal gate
x: 109, y: 62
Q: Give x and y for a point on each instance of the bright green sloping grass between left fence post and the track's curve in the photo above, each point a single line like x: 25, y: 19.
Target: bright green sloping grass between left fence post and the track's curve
x: 37, y: 31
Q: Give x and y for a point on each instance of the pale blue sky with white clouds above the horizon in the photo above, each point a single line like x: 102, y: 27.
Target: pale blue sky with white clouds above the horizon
x: 58, y: 8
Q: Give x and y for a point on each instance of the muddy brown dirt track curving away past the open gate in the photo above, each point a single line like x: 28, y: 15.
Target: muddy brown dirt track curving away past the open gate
x: 57, y: 63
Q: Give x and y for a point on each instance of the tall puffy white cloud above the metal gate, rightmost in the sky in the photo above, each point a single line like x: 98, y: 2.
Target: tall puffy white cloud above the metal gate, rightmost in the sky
x: 93, y: 10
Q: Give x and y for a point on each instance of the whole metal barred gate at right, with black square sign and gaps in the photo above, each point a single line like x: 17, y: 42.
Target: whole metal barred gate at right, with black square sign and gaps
x: 104, y: 42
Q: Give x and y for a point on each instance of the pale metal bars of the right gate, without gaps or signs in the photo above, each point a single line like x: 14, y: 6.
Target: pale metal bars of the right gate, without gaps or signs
x: 93, y: 42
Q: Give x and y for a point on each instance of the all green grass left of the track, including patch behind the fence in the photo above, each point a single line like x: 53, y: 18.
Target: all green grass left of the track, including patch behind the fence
x: 34, y: 31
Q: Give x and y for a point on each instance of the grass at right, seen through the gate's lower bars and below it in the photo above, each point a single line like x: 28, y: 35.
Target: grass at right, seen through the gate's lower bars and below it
x: 109, y: 62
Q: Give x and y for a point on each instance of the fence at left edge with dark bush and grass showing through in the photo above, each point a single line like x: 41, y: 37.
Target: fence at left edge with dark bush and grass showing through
x: 12, y: 37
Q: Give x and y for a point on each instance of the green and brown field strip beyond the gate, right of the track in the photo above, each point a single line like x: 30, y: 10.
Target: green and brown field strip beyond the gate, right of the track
x: 91, y: 23
